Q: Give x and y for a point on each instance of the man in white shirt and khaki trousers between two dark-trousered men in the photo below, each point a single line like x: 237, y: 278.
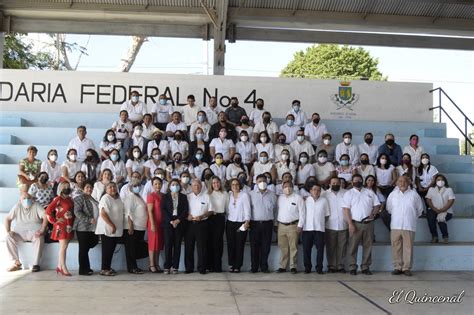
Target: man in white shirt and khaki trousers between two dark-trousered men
x: 290, y: 211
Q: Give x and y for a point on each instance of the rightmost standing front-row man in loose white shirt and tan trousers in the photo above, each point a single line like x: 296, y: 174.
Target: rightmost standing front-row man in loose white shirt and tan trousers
x: 405, y: 206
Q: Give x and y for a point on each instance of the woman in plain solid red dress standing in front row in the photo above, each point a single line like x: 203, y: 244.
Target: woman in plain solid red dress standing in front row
x: 154, y: 229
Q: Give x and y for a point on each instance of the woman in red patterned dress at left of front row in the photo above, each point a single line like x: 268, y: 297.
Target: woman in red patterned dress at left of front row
x: 60, y: 214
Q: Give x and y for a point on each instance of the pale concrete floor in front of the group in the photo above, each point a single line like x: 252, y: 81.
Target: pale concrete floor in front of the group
x: 46, y: 293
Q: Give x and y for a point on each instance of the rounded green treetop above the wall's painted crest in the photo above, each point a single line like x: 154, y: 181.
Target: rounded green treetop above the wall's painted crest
x: 333, y: 62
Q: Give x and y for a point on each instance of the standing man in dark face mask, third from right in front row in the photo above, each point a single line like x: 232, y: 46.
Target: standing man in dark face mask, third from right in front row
x: 336, y: 233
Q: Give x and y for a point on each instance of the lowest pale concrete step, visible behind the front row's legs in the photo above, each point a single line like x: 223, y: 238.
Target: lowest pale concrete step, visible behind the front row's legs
x: 449, y: 257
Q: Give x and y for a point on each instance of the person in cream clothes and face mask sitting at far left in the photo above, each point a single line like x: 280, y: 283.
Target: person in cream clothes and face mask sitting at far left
x: 30, y: 226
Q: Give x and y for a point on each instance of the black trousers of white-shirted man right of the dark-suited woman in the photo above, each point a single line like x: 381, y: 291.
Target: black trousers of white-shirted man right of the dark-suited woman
x: 196, y: 235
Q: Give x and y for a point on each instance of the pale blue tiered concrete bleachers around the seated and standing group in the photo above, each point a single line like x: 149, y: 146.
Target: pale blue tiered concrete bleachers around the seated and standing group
x: 45, y: 130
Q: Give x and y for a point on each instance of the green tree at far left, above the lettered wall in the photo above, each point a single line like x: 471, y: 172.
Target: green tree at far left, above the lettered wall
x: 19, y: 54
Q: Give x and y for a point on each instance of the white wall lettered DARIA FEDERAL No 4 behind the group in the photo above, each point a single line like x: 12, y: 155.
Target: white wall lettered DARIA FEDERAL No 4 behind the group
x: 24, y: 90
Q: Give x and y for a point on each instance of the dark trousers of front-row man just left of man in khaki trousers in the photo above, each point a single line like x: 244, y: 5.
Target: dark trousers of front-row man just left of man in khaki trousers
x: 260, y: 243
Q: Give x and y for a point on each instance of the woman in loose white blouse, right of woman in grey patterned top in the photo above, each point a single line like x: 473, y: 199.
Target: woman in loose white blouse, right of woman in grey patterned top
x: 109, y: 226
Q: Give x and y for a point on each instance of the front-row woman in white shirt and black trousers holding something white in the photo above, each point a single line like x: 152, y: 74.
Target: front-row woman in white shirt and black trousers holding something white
x: 238, y: 222
